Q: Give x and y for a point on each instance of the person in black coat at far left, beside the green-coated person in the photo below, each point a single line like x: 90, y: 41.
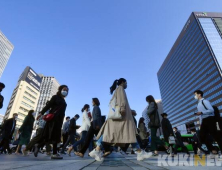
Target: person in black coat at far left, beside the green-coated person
x: 7, y: 132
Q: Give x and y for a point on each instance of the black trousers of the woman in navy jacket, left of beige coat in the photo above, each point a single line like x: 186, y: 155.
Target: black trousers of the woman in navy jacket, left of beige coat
x: 90, y: 134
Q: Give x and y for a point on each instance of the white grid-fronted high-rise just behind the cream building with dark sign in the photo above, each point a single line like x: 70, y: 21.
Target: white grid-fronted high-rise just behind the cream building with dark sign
x: 48, y: 88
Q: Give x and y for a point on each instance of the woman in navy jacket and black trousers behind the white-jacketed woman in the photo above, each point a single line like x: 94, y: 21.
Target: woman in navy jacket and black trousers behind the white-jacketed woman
x: 96, y: 124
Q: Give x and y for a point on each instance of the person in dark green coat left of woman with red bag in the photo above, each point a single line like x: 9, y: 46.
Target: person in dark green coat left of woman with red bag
x: 26, y: 130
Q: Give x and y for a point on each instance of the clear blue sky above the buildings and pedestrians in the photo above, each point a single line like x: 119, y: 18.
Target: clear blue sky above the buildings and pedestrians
x: 87, y: 44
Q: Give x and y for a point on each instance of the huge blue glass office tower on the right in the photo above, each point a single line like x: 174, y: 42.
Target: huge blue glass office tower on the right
x: 194, y: 62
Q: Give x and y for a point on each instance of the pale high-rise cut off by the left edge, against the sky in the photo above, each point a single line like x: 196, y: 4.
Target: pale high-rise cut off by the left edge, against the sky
x: 6, y: 48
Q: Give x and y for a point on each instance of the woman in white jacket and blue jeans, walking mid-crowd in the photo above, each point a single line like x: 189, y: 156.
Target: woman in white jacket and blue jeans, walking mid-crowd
x: 83, y: 129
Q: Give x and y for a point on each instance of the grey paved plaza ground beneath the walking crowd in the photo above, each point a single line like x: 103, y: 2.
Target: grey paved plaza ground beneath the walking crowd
x: 115, y: 161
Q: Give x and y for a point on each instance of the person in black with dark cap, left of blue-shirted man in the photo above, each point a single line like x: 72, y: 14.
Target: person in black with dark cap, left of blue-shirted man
x: 167, y: 131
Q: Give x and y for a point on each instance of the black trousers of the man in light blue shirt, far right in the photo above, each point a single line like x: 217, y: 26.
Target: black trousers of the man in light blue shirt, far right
x: 208, y: 127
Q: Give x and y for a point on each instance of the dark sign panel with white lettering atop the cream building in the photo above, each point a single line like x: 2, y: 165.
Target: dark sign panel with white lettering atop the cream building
x: 31, y: 77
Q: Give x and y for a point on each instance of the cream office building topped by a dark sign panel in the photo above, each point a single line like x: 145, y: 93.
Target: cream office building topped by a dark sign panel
x: 25, y: 96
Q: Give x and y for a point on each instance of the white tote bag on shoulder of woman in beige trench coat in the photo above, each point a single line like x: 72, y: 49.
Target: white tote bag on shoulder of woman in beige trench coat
x: 114, y: 111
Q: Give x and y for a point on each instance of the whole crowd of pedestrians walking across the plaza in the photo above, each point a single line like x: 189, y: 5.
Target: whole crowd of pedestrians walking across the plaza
x: 119, y: 130
